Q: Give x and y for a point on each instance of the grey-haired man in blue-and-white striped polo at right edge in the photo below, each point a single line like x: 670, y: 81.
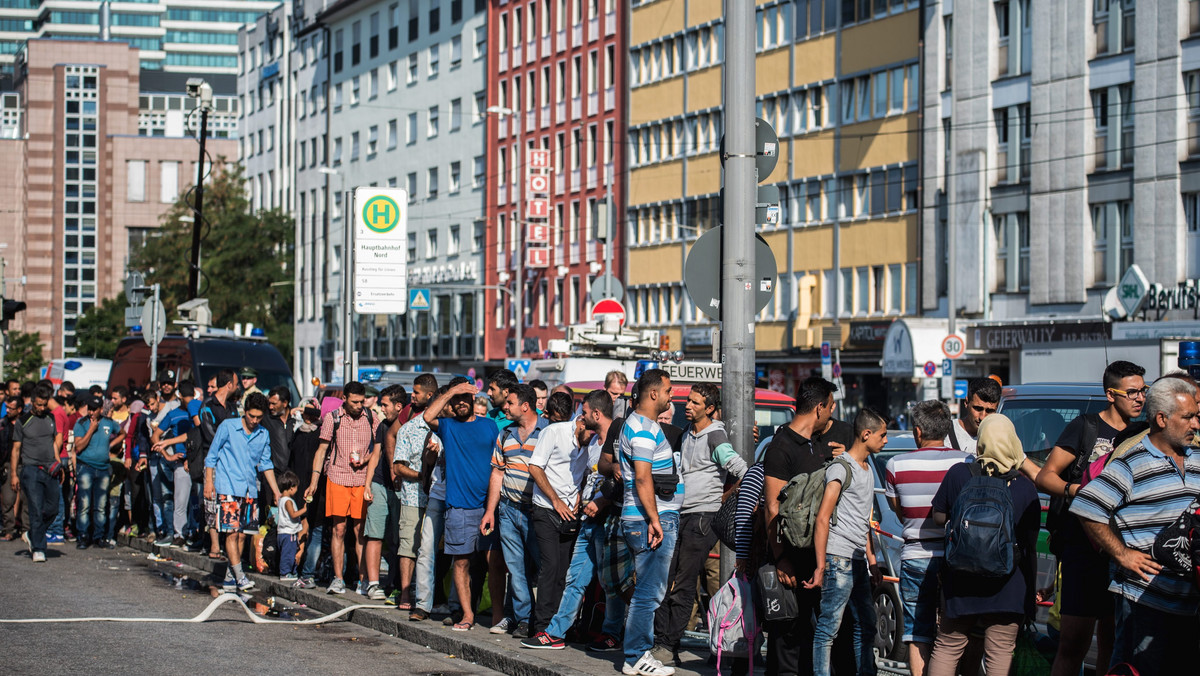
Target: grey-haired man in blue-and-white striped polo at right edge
x: 1142, y: 493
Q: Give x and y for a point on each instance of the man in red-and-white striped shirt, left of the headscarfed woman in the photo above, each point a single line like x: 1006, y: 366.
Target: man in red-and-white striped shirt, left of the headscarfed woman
x: 913, y: 481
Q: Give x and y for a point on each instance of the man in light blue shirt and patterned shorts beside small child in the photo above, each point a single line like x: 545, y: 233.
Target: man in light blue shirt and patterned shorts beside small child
x: 241, y: 450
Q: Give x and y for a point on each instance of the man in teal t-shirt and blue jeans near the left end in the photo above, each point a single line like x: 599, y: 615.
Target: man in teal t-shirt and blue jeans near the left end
x: 95, y: 435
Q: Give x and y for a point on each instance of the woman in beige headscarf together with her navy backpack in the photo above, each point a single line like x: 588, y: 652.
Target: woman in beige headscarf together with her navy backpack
x: 992, y: 517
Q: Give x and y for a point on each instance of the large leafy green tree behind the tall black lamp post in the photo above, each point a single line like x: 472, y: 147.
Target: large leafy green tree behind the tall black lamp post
x: 247, y: 258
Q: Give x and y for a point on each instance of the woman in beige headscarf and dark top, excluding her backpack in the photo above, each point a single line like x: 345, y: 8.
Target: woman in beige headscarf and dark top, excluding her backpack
x: 997, y: 606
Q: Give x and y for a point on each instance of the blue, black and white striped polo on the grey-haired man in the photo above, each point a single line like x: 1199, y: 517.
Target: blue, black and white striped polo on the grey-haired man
x: 1144, y: 493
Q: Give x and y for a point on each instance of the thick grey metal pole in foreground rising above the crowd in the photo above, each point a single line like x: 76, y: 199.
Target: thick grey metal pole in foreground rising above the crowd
x: 739, y: 238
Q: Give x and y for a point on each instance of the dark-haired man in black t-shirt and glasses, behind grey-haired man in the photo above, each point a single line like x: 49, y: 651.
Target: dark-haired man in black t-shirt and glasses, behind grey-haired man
x: 1087, y: 607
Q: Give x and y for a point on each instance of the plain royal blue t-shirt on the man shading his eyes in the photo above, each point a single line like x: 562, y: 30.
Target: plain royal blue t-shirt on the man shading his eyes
x: 469, y: 453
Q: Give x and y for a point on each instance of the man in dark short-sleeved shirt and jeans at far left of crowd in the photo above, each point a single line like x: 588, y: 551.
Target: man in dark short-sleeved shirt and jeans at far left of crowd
x: 35, y: 456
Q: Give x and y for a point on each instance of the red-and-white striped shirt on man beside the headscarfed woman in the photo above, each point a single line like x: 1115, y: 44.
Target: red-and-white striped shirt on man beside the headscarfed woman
x: 914, y: 480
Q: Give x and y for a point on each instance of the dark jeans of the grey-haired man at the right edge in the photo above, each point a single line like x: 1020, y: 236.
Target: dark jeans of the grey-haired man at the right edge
x: 1154, y: 642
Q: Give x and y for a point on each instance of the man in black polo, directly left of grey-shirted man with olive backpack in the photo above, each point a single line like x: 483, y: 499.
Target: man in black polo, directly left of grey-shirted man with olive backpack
x: 791, y: 453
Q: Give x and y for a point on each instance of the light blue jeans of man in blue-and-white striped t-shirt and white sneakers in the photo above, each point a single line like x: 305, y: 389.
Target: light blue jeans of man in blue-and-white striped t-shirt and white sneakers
x: 653, y: 567
